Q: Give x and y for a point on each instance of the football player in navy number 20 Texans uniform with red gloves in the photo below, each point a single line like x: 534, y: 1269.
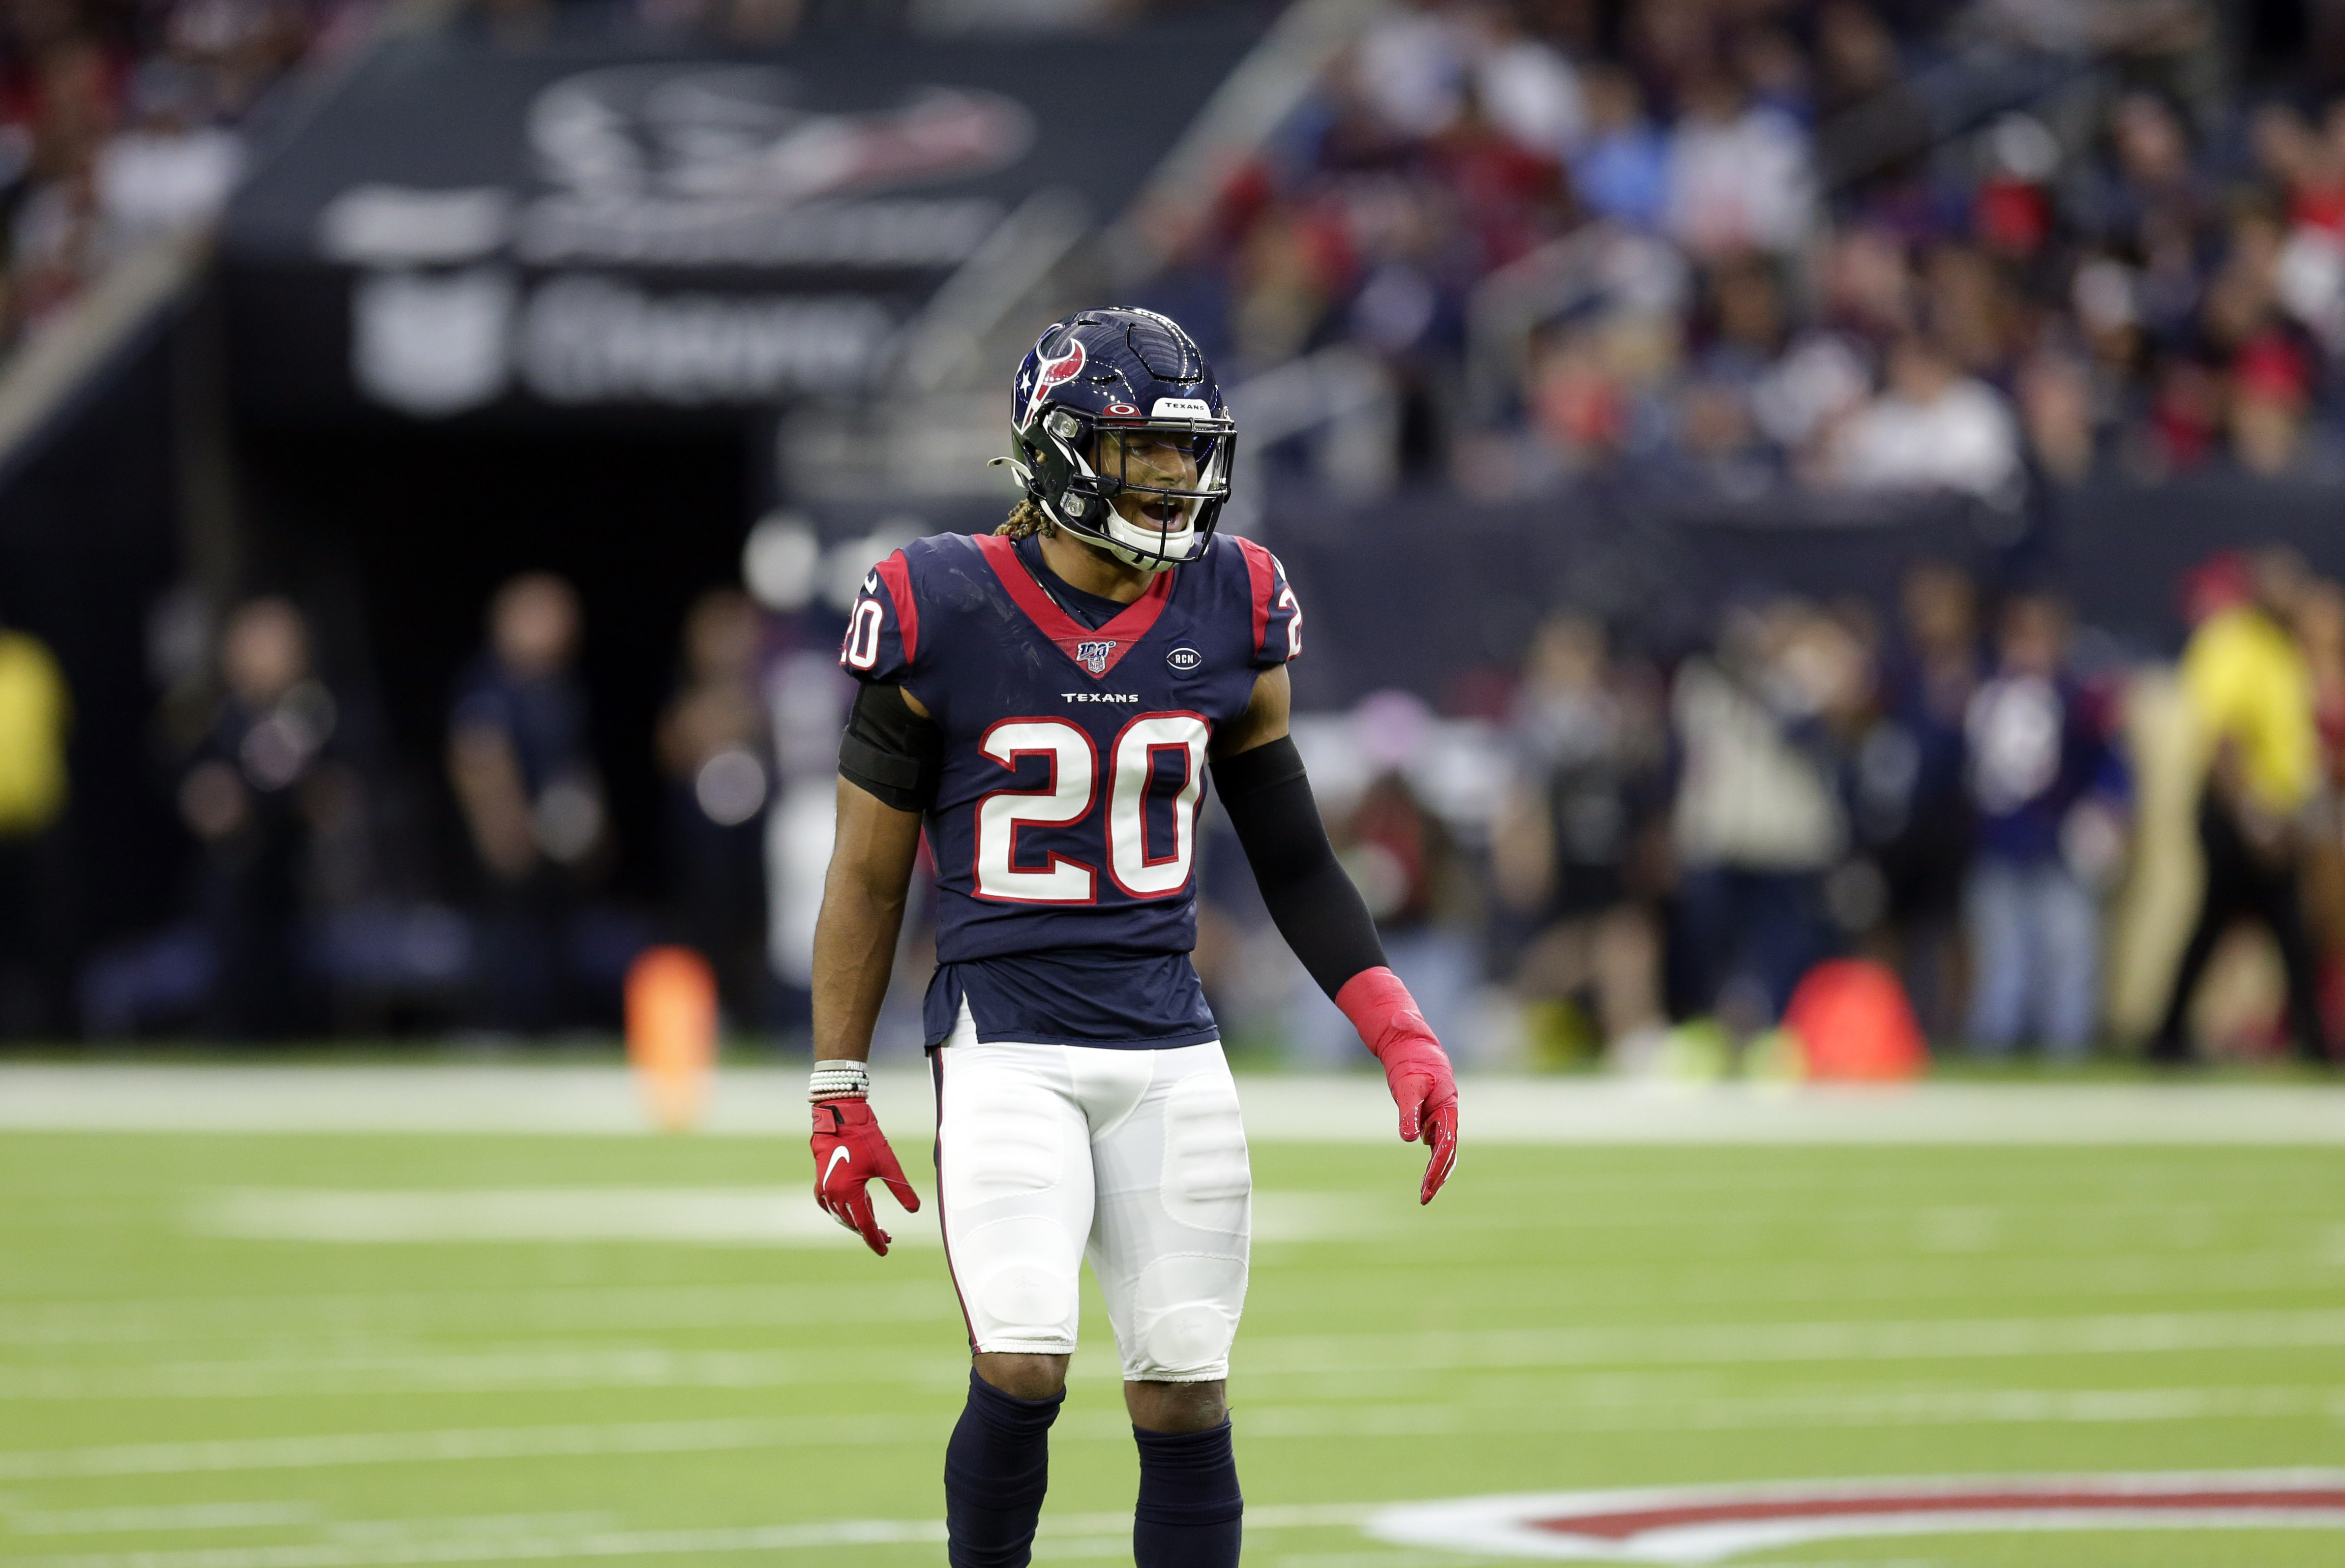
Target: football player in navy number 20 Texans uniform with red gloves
x: 1047, y: 702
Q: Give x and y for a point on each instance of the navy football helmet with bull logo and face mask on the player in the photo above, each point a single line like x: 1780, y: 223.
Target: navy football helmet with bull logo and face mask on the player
x: 1122, y: 435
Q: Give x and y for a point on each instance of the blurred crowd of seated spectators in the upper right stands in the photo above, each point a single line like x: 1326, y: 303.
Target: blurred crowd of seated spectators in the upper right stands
x: 1729, y: 245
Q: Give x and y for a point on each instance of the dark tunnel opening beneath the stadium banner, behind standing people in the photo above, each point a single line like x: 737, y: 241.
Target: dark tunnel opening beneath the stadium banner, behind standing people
x: 395, y: 538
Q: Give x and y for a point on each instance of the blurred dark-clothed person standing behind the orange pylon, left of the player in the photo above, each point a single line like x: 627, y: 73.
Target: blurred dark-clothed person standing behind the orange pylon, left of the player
x: 716, y: 751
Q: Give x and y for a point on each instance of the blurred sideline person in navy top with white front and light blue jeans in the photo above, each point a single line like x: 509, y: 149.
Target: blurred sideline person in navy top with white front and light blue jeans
x: 2046, y: 791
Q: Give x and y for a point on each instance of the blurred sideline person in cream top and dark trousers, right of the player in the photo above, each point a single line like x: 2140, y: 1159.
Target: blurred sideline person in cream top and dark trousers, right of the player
x: 1758, y: 822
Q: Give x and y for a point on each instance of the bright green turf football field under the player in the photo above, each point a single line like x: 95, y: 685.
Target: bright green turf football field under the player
x: 287, y: 1351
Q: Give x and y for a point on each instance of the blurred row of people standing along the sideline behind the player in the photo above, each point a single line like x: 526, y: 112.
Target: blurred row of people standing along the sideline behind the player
x: 1966, y: 793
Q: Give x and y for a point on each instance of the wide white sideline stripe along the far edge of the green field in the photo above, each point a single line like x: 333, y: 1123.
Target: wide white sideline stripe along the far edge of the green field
x: 1340, y: 1110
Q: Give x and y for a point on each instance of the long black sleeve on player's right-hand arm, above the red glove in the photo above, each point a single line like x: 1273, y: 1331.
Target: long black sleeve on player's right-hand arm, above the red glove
x: 1312, y: 901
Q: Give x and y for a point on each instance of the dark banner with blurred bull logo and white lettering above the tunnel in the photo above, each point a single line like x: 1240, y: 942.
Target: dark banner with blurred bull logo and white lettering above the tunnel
x: 465, y: 229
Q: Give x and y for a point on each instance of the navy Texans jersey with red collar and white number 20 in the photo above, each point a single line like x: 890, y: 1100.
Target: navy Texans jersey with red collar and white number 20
x: 1075, y: 770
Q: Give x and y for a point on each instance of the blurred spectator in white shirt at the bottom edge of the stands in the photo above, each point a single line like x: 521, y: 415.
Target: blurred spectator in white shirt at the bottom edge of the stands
x: 1929, y: 430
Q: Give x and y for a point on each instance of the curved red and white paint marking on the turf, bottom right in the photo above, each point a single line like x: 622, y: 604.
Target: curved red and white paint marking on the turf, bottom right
x: 1715, y: 1525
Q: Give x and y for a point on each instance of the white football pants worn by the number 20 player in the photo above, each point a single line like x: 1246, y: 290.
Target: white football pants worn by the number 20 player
x: 1131, y: 1157
